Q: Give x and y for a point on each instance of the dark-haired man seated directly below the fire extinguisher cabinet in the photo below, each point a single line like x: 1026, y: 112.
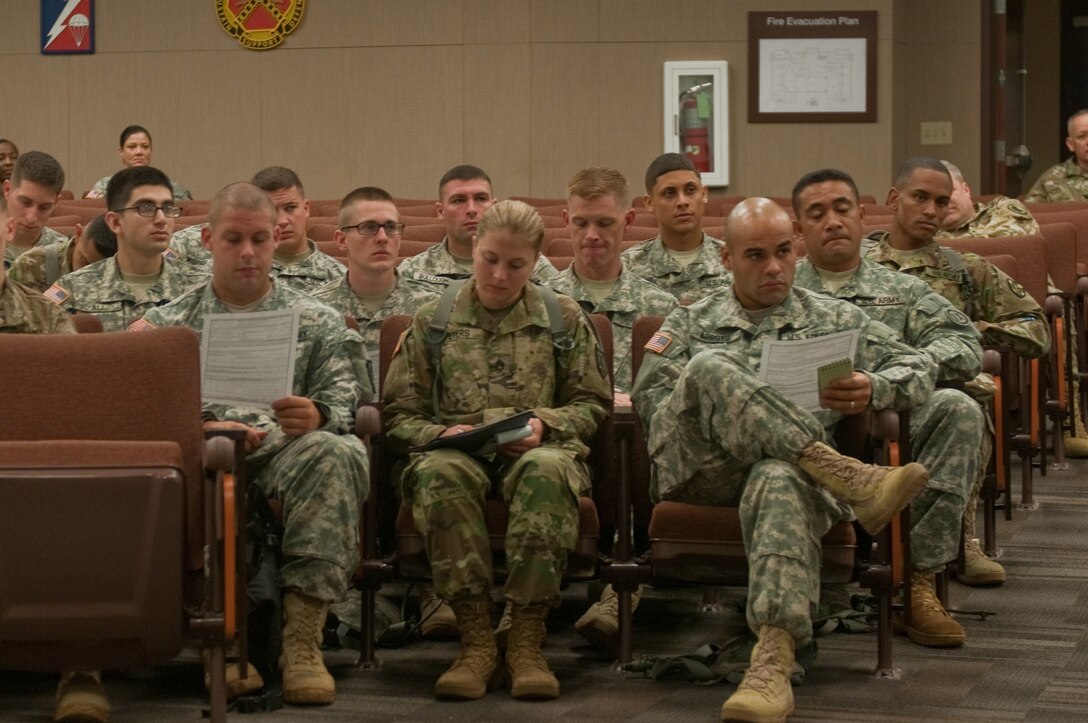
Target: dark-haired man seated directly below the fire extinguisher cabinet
x: 683, y: 260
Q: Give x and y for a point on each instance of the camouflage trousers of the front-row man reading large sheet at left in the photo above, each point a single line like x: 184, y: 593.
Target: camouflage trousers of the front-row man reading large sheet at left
x: 323, y: 480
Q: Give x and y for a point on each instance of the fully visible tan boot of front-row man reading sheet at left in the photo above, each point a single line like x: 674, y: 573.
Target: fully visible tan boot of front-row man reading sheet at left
x: 306, y: 680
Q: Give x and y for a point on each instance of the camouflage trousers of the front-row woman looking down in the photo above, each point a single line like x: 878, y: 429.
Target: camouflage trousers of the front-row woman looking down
x: 449, y: 490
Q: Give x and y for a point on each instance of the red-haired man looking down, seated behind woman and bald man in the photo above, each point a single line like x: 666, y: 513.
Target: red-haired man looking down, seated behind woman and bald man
x: 597, y: 216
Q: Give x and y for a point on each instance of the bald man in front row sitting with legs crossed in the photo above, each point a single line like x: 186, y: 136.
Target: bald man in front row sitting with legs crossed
x: 719, y: 435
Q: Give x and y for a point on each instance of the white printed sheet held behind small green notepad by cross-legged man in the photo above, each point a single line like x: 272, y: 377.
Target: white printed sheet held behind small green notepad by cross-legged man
x: 792, y: 366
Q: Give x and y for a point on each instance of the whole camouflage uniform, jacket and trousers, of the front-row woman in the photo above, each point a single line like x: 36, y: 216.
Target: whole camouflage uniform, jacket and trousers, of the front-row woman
x: 491, y: 369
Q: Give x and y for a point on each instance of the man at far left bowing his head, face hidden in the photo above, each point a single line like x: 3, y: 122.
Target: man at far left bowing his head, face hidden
x: 39, y: 268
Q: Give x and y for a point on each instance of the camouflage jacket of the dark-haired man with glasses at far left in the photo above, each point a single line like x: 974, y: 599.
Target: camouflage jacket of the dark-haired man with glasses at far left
x: 100, y: 290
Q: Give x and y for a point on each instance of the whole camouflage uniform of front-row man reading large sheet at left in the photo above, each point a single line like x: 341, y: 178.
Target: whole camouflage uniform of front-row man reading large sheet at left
x: 322, y: 478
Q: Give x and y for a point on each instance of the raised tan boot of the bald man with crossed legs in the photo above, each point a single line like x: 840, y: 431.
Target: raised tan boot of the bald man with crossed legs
x: 875, y: 493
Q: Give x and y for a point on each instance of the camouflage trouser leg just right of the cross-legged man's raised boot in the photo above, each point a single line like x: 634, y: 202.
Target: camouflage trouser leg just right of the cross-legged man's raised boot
x: 947, y: 434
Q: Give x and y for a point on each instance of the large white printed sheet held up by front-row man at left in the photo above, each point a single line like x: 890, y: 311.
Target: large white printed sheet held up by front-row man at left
x: 249, y: 359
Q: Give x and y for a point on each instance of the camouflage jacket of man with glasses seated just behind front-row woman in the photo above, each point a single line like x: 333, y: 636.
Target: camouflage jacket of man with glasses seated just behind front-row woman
x: 406, y: 297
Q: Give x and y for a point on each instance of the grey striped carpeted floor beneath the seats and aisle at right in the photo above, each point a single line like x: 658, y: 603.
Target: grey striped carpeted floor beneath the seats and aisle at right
x: 1028, y: 663
